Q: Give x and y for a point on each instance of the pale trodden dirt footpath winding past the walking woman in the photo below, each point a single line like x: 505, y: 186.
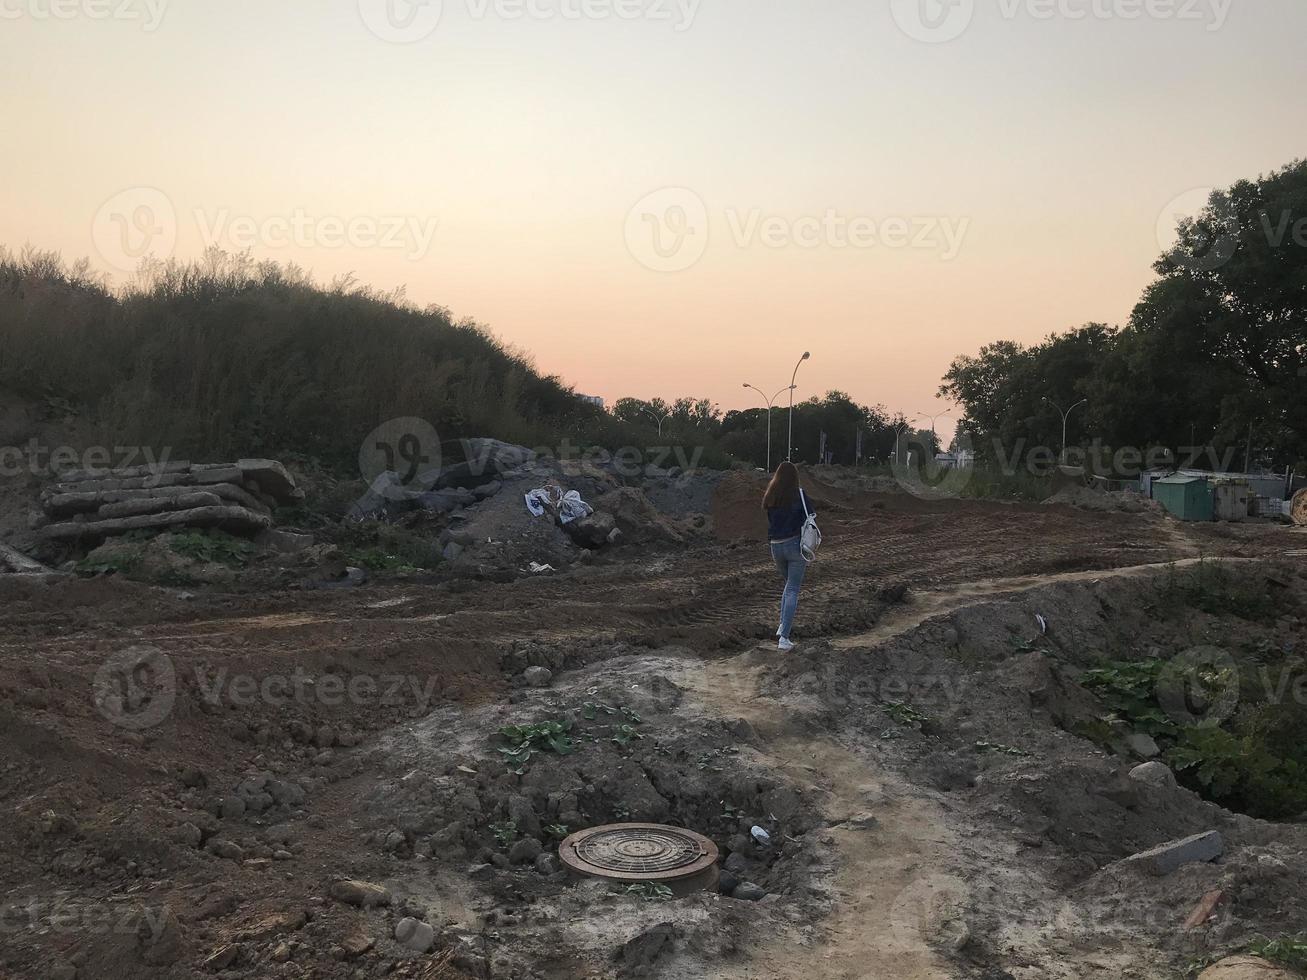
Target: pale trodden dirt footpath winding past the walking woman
x: 895, y: 875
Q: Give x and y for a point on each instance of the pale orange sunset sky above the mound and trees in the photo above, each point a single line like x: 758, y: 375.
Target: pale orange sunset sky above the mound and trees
x: 661, y: 198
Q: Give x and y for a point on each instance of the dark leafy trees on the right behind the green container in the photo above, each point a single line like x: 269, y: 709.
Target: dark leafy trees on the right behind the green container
x: 1212, y: 365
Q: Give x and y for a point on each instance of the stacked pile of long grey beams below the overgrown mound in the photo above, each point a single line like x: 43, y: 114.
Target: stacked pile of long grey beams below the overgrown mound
x: 235, y: 497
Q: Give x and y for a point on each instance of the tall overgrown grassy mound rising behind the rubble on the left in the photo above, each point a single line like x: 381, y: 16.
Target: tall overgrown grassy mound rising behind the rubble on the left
x: 228, y: 357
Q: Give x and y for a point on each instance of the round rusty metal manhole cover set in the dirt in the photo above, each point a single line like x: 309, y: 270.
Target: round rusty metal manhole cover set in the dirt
x: 644, y: 853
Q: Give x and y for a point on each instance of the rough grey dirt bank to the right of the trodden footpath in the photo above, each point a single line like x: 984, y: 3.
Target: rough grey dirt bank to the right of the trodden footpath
x: 991, y: 714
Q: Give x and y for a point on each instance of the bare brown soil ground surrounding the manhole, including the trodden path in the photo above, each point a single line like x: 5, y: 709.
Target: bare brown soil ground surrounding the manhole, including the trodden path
x: 186, y: 776
